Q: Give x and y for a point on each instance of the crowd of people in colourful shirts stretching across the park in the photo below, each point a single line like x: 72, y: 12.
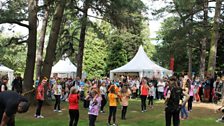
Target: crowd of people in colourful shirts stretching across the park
x: 177, y: 92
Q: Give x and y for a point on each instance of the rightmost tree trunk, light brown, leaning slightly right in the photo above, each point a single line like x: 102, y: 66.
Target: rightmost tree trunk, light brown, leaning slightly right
x: 214, y: 39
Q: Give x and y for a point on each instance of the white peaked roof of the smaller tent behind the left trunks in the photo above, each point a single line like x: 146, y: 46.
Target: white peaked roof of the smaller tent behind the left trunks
x: 64, y: 66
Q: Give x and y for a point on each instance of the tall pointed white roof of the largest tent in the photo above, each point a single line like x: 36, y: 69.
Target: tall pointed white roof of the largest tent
x: 140, y: 63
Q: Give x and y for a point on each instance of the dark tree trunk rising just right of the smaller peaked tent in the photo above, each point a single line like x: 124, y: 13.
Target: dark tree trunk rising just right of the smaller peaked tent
x: 82, y: 39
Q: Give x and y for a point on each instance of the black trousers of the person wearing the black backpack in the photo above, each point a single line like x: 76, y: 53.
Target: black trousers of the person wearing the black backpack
x: 169, y: 114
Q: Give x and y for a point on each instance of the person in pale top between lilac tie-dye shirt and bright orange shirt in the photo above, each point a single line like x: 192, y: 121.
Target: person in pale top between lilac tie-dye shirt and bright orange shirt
x: 103, y: 92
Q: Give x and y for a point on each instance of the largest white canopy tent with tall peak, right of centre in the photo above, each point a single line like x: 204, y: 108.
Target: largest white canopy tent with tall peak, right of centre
x: 142, y: 65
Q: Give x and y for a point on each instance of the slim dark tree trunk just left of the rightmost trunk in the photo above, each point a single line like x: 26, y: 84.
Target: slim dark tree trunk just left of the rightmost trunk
x: 204, y: 42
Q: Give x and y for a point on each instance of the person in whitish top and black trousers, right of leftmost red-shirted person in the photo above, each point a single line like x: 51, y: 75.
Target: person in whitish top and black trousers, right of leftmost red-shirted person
x: 57, y: 88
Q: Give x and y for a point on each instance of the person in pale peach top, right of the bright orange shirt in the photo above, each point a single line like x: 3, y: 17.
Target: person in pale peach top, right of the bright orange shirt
x: 125, y: 95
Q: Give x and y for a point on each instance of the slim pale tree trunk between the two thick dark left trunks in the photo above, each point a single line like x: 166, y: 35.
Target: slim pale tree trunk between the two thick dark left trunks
x: 41, y: 43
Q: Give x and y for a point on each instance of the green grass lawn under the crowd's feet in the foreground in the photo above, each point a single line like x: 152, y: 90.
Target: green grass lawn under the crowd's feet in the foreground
x: 202, y: 115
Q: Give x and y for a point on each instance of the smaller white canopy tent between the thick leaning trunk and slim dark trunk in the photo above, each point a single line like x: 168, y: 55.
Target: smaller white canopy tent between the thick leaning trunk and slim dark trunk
x: 64, y: 68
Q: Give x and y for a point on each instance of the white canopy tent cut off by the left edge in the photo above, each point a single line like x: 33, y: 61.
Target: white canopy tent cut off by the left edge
x: 7, y: 71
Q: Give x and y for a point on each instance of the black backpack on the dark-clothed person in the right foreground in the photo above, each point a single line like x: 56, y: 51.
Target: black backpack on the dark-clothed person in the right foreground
x: 173, y: 101
